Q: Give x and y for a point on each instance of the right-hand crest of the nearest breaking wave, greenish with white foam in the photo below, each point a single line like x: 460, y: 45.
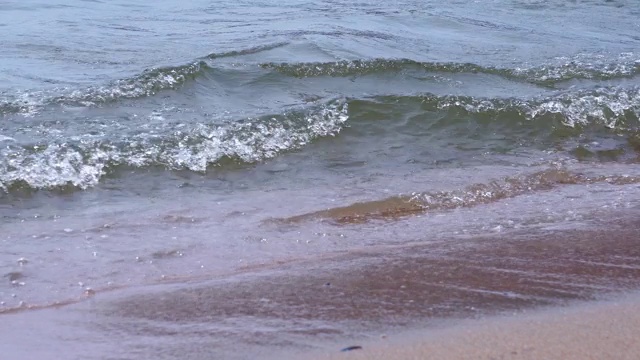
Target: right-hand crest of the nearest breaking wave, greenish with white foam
x: 611, y: 107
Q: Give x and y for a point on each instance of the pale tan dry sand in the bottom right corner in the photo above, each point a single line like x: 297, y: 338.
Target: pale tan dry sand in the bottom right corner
x: 594, y: 331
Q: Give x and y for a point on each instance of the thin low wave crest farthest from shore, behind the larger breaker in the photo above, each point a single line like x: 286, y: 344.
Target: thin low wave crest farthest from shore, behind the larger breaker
x: 152, y: 81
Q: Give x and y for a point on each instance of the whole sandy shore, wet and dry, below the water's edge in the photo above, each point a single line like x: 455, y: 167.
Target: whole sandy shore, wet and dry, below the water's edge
x: 320, y: 304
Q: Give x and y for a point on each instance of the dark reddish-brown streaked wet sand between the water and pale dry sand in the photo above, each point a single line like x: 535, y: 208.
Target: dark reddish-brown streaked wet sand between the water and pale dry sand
x: 374, y: 288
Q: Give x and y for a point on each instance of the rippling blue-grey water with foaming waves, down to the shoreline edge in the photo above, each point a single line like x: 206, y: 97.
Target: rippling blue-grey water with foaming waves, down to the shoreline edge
x: 143, y: 140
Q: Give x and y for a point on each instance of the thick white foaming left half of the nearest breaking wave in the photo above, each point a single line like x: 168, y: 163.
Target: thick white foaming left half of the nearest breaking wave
x: 81, y: 164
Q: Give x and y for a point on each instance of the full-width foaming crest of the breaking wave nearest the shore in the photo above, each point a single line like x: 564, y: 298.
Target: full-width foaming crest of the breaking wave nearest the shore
x: 83, y: 161
